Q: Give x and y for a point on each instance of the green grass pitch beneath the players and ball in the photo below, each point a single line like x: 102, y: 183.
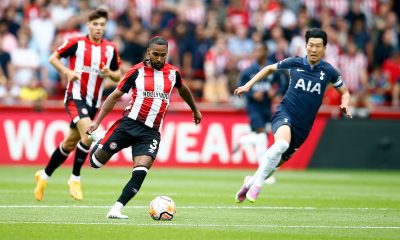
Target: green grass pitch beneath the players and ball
x: 313, y: 204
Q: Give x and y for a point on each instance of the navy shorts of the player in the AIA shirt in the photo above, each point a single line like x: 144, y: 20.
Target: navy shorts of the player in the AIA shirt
x: 298, y: 136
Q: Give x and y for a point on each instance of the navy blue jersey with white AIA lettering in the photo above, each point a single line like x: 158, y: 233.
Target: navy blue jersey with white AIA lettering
x: 306, y: 89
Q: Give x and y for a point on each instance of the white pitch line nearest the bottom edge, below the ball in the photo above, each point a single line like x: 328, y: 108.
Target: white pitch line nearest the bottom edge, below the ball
x: 165, y: 224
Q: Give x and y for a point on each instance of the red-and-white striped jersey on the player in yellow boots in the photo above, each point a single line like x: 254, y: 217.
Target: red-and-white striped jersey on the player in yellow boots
x: 86, y: 58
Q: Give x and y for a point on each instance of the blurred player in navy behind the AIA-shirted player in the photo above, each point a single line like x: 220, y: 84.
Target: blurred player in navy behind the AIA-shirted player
x: 258, y: 103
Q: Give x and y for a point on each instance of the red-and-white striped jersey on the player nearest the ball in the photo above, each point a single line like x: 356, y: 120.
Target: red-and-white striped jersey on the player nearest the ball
x: 151, y: 91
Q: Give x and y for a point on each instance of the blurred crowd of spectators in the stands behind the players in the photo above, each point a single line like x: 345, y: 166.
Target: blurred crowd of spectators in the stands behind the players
x: 210, y: 40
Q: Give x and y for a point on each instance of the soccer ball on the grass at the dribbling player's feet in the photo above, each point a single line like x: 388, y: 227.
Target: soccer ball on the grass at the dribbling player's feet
x: 162, y: 208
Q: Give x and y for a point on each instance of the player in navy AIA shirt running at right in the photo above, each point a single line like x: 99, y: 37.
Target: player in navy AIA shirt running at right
x: 294, y: 117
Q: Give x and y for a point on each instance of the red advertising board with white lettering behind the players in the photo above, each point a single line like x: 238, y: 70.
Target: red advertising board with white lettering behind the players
x: 29, y: 137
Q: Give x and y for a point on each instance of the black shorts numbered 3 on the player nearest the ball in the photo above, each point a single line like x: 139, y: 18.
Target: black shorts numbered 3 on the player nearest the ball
x: 127, y: 132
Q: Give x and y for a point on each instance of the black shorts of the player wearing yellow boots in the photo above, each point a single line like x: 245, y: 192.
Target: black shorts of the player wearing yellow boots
x: 78, y: 109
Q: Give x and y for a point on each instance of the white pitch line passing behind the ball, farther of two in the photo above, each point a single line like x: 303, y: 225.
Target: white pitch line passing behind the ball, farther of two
x: 207, y: 207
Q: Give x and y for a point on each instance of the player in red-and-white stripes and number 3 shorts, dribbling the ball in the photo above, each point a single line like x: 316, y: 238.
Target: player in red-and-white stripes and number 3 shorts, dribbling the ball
x: 151, y: 82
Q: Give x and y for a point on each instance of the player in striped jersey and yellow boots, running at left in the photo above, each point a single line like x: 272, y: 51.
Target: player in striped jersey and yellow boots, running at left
x: 91, y: 60
